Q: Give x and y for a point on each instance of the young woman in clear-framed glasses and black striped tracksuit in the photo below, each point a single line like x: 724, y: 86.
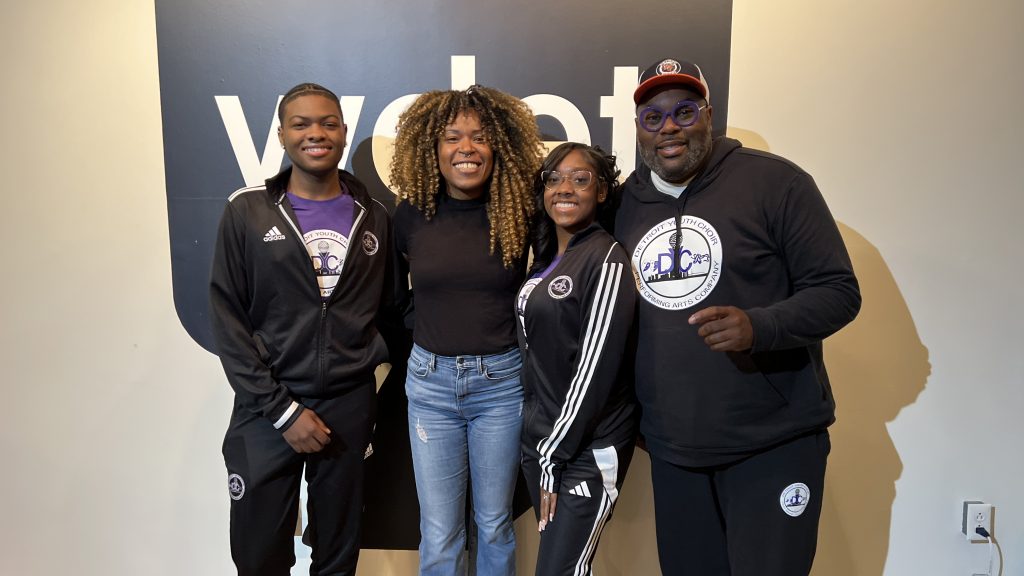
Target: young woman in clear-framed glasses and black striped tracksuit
x: 575, y: 323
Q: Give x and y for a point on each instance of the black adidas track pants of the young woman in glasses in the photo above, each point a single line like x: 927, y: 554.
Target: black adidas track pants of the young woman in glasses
x: 588, y: 493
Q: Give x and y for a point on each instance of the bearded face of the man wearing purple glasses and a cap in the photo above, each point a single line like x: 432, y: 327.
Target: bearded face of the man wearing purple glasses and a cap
x: 675, y: 154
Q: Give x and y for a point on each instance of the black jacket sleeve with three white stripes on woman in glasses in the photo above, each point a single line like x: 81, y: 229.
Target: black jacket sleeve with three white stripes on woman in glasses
x: 608, y: 316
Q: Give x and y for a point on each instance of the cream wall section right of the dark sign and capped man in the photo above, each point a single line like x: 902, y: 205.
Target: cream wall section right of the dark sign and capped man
x: 909, y: 115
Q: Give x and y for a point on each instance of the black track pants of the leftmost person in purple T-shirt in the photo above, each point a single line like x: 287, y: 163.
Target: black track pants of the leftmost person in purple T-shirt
x: 264, y: 479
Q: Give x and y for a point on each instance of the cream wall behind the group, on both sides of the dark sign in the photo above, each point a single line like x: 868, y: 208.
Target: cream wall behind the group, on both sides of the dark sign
x: 907, y: 114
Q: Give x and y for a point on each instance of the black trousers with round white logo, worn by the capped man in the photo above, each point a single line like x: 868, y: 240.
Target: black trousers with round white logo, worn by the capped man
x: 755, y: 517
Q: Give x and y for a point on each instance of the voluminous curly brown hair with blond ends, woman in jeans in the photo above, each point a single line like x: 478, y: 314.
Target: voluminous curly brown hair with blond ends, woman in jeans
x: 511, y: 131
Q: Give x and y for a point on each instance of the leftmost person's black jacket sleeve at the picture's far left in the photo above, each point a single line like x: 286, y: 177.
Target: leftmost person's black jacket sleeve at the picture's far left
x: 238, y: 345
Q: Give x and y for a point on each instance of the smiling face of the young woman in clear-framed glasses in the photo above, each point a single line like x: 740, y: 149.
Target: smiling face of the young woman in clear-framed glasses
x: 572, y: 210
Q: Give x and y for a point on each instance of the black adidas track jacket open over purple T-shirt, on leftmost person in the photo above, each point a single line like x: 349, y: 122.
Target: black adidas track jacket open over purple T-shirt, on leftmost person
x: 277, y: 339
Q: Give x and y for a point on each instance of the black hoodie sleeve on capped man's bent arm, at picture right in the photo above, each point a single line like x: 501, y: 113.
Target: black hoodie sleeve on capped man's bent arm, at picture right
x: 825, y: 295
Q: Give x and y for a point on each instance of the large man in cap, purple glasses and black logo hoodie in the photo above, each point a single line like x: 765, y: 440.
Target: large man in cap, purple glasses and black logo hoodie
x: 742, y: 273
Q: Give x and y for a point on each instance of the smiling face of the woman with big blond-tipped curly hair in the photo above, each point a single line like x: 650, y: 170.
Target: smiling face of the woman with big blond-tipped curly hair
x: 465, y: 157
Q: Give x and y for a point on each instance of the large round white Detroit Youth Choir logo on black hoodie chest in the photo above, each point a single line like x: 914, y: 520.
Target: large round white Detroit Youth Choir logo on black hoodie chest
x: 676, y: 270
